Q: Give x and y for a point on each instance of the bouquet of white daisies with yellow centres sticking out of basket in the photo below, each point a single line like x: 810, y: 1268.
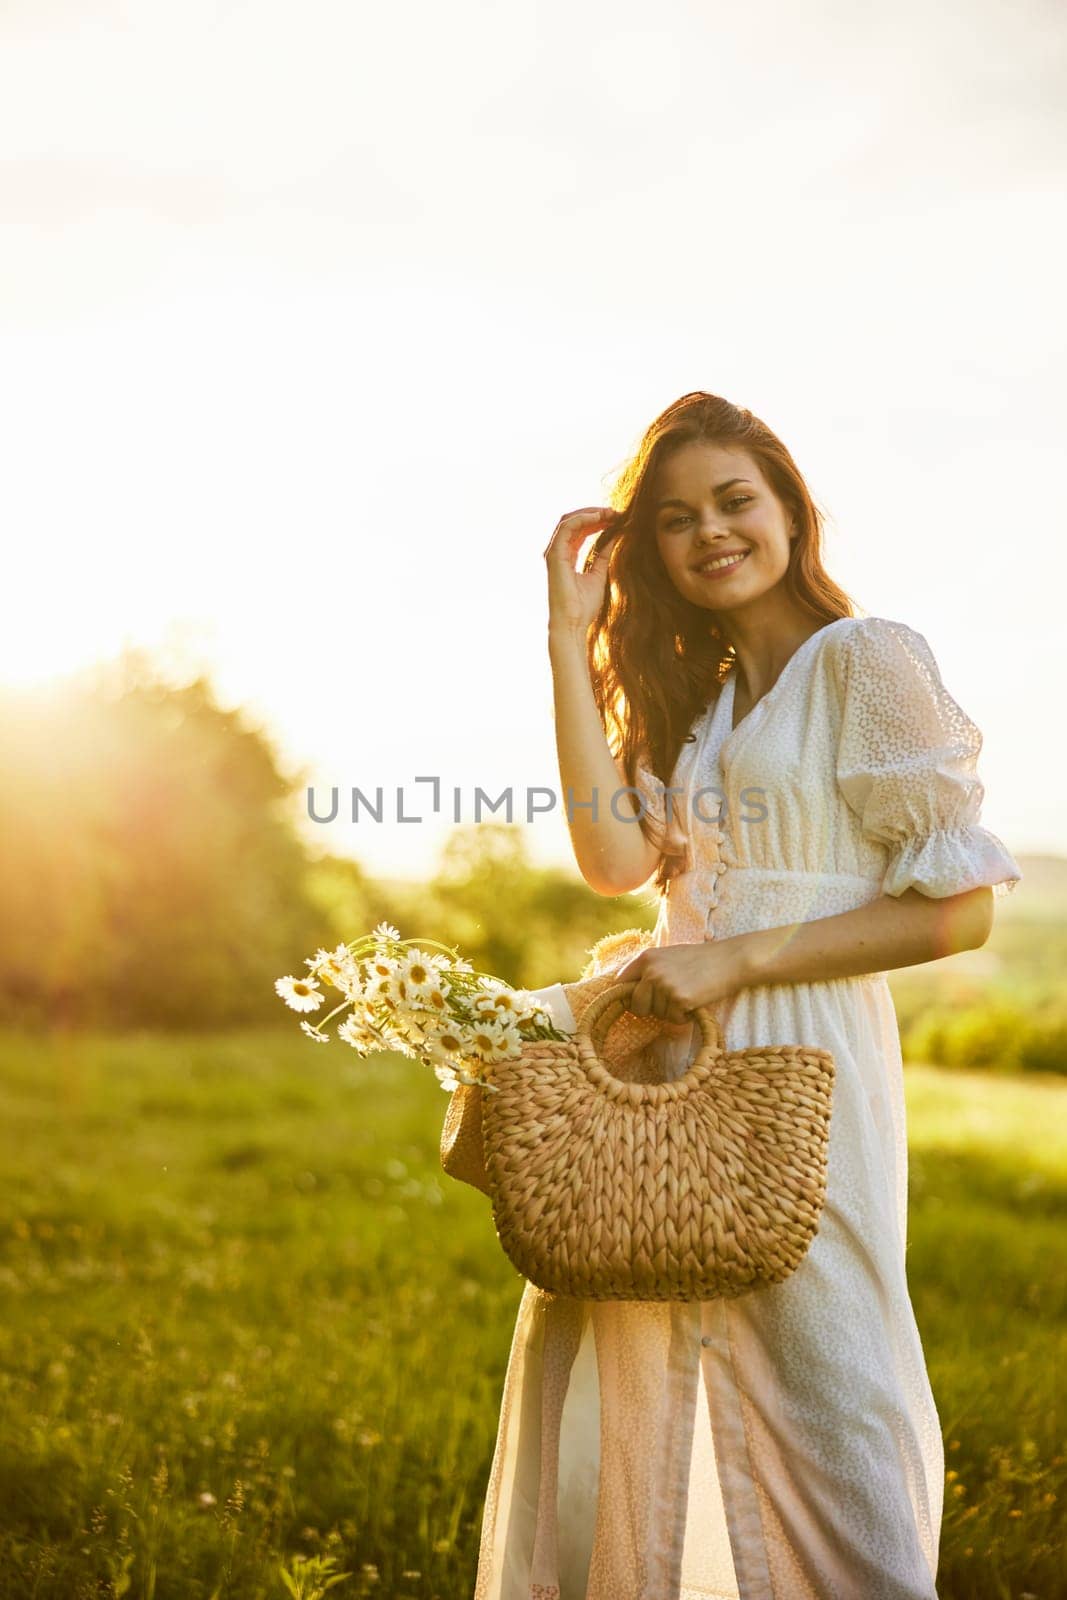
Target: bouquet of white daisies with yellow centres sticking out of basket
x: 422, y: 999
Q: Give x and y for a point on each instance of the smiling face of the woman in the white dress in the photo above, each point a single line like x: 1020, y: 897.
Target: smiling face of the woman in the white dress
x: 713, y: 505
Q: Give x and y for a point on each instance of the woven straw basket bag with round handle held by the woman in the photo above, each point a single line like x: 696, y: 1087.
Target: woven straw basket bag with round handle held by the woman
x: 701, y: 1188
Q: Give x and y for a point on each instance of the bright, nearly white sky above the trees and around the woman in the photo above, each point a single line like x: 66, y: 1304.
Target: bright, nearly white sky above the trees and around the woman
x: 316, y: 319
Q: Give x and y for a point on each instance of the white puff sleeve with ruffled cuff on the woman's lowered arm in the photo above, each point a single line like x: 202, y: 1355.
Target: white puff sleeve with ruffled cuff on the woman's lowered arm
x: 908, y: 767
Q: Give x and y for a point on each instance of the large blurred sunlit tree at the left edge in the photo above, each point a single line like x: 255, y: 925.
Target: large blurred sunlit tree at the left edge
x: 150, y: 866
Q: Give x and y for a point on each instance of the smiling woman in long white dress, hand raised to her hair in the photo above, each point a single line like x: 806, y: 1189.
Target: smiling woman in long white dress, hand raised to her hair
x: 823, y: 828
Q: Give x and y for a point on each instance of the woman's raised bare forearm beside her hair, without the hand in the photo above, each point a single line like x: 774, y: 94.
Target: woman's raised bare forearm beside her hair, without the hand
x: 612, y: 854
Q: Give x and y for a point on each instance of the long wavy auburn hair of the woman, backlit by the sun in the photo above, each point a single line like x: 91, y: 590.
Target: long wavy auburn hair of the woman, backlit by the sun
x: 657, y: 658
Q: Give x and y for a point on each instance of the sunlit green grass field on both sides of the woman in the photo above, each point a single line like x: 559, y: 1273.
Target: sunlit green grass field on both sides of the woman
x: 250, y: 1324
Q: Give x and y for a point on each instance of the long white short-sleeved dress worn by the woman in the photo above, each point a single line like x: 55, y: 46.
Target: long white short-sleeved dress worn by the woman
x: 783, y: 1446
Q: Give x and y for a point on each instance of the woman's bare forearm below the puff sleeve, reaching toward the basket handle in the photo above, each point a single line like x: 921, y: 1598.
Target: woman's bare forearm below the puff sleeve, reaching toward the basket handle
x: 889, y: 932
